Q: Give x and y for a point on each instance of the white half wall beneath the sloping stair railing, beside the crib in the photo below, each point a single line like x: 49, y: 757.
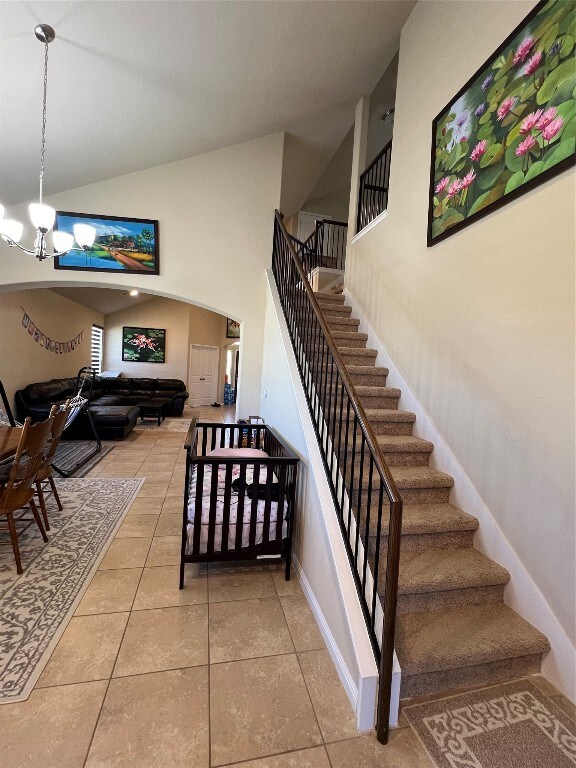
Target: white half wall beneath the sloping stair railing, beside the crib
x: 318, y: 542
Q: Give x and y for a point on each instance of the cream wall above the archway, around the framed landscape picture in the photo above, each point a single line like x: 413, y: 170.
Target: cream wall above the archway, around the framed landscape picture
x: 215, y: 213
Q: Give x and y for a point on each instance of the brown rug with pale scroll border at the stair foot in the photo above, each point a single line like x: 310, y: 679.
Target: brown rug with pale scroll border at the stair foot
x: 505, y: 726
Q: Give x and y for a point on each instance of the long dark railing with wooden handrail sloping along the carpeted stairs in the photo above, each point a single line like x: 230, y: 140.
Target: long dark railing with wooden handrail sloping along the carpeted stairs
x: 367, y: 501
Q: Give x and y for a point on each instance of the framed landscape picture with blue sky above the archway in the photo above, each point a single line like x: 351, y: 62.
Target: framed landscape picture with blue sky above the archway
x: 121, y: 245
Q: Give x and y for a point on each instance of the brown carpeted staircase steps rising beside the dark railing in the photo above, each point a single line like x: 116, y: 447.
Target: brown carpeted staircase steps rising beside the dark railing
x: 452, y: 629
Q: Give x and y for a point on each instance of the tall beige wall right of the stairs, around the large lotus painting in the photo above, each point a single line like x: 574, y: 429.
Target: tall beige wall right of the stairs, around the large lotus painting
x: 482, y: 325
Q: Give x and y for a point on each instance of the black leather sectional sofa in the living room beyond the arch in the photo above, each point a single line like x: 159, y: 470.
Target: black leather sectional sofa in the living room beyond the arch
x: 113, y: 403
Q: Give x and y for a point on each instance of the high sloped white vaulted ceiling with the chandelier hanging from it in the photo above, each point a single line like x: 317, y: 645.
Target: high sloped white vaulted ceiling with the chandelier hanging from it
x: 136, y: 84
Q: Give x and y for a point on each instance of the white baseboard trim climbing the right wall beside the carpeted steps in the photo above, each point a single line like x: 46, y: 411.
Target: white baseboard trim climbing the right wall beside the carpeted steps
x: 522, y: 594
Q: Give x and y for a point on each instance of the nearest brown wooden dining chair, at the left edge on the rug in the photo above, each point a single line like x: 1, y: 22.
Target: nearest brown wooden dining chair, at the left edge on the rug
x: 18, y: 490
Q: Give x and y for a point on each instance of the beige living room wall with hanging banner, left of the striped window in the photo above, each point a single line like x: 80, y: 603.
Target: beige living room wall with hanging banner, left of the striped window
x: 23, y: 360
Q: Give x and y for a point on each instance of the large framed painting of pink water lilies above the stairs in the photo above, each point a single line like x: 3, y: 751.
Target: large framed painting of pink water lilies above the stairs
x: 511, y: 127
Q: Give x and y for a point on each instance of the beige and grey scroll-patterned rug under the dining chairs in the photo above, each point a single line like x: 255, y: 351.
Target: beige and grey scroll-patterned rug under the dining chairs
x: 36, y: 606
